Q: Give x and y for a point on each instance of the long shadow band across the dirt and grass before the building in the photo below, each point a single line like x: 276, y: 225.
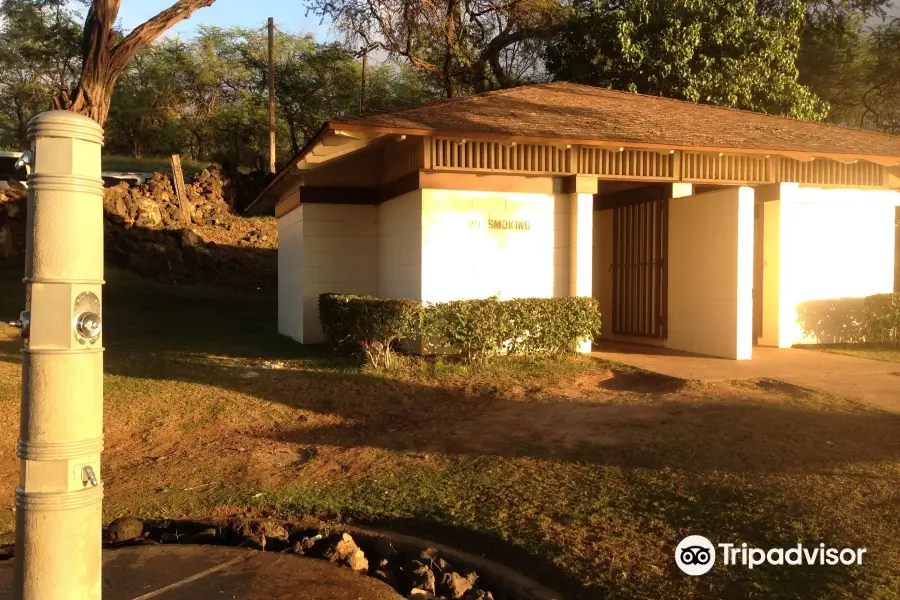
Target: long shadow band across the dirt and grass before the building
x: 650, y: 429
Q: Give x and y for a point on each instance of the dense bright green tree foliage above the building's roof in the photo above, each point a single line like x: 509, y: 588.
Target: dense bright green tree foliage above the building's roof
x: 721, y: 52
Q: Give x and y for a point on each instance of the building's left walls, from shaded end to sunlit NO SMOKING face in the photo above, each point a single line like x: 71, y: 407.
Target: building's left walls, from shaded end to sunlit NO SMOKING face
x: 433, y: 245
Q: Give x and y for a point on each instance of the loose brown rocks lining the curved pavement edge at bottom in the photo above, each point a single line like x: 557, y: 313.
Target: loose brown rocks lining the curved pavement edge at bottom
x: 417, y: 574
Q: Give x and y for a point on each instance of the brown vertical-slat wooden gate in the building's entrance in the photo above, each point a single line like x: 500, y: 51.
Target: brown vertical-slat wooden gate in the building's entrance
x: 640, y: 272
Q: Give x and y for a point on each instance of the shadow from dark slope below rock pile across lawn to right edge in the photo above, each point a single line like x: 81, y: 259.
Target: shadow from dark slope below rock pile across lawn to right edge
x: 159, y: 332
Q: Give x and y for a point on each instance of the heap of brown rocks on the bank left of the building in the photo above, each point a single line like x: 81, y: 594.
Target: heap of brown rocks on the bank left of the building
x: 148, y: 231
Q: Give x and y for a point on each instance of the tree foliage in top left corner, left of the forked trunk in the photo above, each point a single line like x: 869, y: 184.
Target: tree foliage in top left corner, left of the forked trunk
x: 40, y: 48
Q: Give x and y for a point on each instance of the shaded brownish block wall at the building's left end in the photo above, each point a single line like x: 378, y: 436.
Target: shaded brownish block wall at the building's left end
x: 327, y: 248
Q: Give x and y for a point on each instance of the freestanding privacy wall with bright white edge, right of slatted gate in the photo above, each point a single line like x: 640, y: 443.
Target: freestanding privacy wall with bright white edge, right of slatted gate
x: 711, y: 273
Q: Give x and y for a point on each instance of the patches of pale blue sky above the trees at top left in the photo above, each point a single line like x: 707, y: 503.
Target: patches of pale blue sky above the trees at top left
x: 290, y: 15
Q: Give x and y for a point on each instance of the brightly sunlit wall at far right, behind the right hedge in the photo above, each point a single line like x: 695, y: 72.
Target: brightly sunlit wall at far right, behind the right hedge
x: 828, y: 244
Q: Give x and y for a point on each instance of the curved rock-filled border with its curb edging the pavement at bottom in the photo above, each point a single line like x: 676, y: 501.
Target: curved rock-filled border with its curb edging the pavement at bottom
x: 416, y: 568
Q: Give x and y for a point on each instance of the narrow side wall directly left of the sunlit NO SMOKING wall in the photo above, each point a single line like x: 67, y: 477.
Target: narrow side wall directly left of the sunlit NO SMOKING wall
x: 400, y: 247
